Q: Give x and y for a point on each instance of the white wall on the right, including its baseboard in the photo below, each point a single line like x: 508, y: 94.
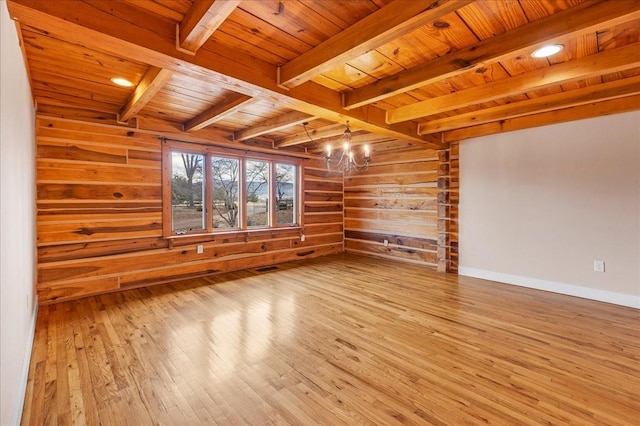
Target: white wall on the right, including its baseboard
x: 538, y: 206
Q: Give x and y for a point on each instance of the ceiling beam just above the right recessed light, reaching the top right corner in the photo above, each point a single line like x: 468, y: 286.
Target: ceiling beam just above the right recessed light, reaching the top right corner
x: 557, y: 28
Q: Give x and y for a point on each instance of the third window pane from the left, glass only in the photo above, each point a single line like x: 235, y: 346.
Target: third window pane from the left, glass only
x: 257, y: 189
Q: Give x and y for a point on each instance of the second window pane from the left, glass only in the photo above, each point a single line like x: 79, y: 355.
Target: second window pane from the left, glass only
x: 224, y: 172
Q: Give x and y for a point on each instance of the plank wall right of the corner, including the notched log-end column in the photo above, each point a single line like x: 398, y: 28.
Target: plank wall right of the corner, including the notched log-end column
x: 408, y: 198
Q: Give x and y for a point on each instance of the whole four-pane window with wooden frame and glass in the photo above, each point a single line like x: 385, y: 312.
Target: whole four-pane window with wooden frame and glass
x: 215, y: 190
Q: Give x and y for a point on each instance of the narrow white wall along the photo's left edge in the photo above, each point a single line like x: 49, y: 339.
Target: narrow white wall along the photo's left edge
x: 17, y: 223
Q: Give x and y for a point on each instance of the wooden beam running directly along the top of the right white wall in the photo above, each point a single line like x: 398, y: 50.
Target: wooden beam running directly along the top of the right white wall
x: 597, y: 109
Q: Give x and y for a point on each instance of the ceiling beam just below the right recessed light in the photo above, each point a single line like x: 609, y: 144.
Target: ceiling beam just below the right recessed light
x: 609, y: 61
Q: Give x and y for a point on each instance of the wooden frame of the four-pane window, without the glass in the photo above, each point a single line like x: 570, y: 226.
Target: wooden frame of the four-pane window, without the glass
x: 242, y: 155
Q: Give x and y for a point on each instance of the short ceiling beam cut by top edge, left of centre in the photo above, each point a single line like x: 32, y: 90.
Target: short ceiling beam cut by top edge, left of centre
x: 202, y: 19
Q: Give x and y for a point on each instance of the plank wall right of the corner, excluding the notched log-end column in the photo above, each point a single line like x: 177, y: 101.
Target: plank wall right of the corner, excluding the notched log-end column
x: 396, y: 200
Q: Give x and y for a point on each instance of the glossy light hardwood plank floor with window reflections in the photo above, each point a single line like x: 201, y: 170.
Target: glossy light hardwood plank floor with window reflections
x: 335, y: 340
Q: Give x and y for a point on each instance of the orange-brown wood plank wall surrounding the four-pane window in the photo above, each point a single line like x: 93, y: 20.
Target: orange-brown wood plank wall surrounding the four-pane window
x: 99, y: 221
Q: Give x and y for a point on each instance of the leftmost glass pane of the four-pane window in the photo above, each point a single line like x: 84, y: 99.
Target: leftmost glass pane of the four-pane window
x: 187, y: 192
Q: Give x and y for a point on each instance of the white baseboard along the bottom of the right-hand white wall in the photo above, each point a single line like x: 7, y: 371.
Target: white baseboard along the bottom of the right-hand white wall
x: 622, y: 299
